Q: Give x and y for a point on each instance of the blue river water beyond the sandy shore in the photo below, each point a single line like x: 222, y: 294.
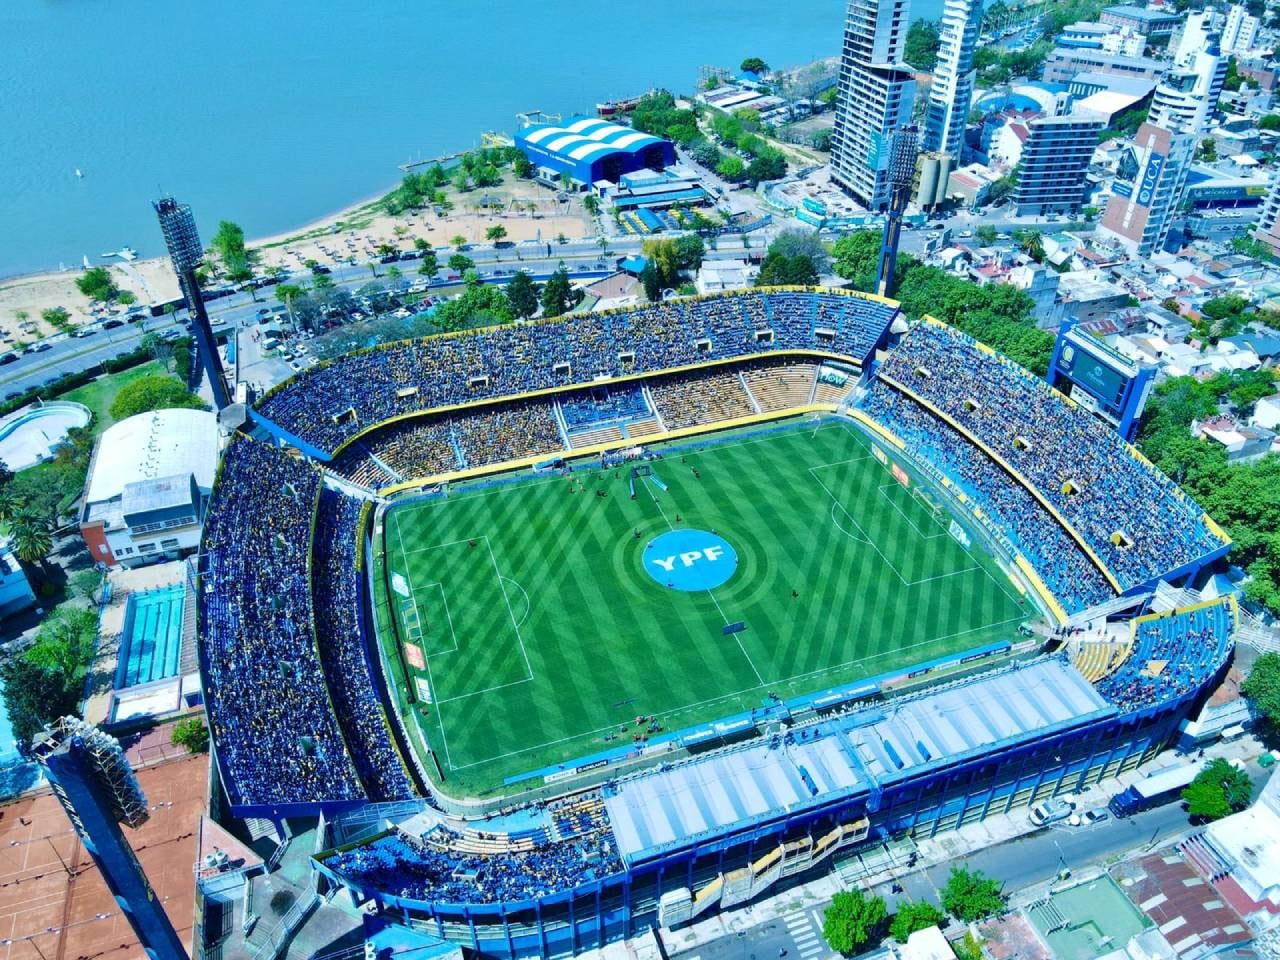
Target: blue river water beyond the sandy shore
x: 275, y: 113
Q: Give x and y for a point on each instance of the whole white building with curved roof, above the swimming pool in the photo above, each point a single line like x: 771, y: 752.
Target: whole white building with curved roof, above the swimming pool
x: 149, y: 483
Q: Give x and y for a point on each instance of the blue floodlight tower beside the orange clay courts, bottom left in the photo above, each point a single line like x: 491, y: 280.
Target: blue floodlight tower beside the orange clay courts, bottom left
x: 94, y: 784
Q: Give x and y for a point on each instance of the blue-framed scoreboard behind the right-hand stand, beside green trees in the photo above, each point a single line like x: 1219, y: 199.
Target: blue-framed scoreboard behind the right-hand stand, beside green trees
x: 1100, y: 380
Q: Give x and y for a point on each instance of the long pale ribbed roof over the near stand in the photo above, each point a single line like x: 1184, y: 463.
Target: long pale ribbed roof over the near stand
x: 847, y: 756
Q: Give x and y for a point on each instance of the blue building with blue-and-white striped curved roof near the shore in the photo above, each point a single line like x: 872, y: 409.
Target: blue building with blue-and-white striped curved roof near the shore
x: 591, y: 150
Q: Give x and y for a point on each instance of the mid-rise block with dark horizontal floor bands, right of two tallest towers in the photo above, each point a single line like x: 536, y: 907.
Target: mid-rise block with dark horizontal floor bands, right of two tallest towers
x: 1054, y: 159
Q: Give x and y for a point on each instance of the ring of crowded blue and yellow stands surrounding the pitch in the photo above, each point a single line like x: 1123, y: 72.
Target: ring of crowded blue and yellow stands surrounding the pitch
x: 298, y: 700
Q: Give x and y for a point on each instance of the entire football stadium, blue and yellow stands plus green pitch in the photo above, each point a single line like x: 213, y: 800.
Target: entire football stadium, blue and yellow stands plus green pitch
x: 586, y: 625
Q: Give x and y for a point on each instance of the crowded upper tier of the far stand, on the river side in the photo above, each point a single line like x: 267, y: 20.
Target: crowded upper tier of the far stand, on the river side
x: 336, y: 401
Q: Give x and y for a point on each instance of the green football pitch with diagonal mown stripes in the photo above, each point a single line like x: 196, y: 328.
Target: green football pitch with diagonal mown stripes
x: 528, y: 624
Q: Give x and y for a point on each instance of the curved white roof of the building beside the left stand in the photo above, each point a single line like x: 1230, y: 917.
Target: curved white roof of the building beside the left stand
x: 163, y: 444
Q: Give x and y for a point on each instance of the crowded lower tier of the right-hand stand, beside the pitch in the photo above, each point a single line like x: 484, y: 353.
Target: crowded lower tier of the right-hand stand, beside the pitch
x: 1058, y: 560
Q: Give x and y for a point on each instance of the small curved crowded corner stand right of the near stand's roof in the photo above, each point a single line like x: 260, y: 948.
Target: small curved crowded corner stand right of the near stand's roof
x: 1173, y: 655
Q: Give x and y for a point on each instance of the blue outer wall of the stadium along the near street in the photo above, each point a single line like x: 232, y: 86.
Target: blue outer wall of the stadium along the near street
x: 1007, y: 778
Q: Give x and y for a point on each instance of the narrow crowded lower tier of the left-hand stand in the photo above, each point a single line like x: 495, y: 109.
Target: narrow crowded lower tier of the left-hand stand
x: 336, y: 595
